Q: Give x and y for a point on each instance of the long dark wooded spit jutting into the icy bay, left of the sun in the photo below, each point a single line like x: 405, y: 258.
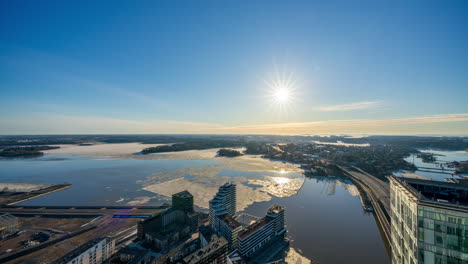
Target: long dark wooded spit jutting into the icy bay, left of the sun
x: 193, y: 146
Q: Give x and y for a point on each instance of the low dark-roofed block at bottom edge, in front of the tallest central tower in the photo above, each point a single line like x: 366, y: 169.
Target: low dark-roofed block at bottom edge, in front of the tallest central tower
x: 215, y: 252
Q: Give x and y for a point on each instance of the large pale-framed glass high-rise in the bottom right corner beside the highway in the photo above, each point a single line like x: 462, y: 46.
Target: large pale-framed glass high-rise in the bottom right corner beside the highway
x: 429, y: 221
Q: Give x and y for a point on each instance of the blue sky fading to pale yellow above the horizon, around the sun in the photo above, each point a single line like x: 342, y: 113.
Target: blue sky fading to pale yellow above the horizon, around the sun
x: 377, y: 67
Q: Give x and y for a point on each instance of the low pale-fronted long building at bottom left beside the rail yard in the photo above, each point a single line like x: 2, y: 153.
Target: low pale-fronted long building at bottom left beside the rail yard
x: 96, y: 251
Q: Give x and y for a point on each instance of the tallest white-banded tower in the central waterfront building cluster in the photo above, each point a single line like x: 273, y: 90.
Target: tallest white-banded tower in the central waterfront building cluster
x: 224, y: 203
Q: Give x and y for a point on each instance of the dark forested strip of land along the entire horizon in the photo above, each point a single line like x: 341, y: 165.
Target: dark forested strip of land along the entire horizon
x: 418, y: 142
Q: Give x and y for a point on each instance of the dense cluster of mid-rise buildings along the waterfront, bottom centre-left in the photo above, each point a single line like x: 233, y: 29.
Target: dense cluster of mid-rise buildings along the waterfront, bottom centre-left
x: 180, y: 235
